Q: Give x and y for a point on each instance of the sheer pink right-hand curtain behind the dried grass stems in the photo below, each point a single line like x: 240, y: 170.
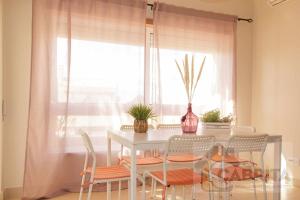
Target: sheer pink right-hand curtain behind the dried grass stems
x: 179, y: 31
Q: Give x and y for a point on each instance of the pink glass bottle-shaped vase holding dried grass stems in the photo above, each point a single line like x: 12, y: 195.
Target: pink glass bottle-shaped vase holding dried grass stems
x: 189, y: 122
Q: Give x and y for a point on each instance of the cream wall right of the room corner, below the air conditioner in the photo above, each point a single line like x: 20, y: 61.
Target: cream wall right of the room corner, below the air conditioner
x: 276, y: 70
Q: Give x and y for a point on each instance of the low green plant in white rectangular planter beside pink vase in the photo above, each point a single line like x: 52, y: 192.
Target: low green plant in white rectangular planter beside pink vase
x: 213, y: 119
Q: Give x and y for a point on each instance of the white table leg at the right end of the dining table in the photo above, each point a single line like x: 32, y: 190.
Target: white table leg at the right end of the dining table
x: 277, y: 170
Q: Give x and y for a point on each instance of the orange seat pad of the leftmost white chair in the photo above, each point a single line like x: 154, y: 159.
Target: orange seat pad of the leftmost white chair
x: 111, y: 172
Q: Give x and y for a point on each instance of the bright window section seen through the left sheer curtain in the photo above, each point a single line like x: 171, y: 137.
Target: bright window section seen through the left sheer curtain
x: 105, y: 79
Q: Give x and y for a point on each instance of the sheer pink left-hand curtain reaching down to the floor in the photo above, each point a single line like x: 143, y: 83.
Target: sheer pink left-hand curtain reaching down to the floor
x: 87, y: 69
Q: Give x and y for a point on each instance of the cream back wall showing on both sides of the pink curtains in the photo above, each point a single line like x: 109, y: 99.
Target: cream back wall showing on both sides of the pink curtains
x: 17, y: 33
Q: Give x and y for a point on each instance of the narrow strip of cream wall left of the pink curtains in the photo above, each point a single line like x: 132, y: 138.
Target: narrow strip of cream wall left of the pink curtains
x: 17, y: 47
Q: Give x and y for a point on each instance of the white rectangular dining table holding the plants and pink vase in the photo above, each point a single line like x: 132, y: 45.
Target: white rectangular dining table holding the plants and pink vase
x: 157, y: 139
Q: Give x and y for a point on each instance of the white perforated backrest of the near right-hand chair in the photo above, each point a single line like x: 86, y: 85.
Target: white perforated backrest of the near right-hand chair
x: 248, y: 143
